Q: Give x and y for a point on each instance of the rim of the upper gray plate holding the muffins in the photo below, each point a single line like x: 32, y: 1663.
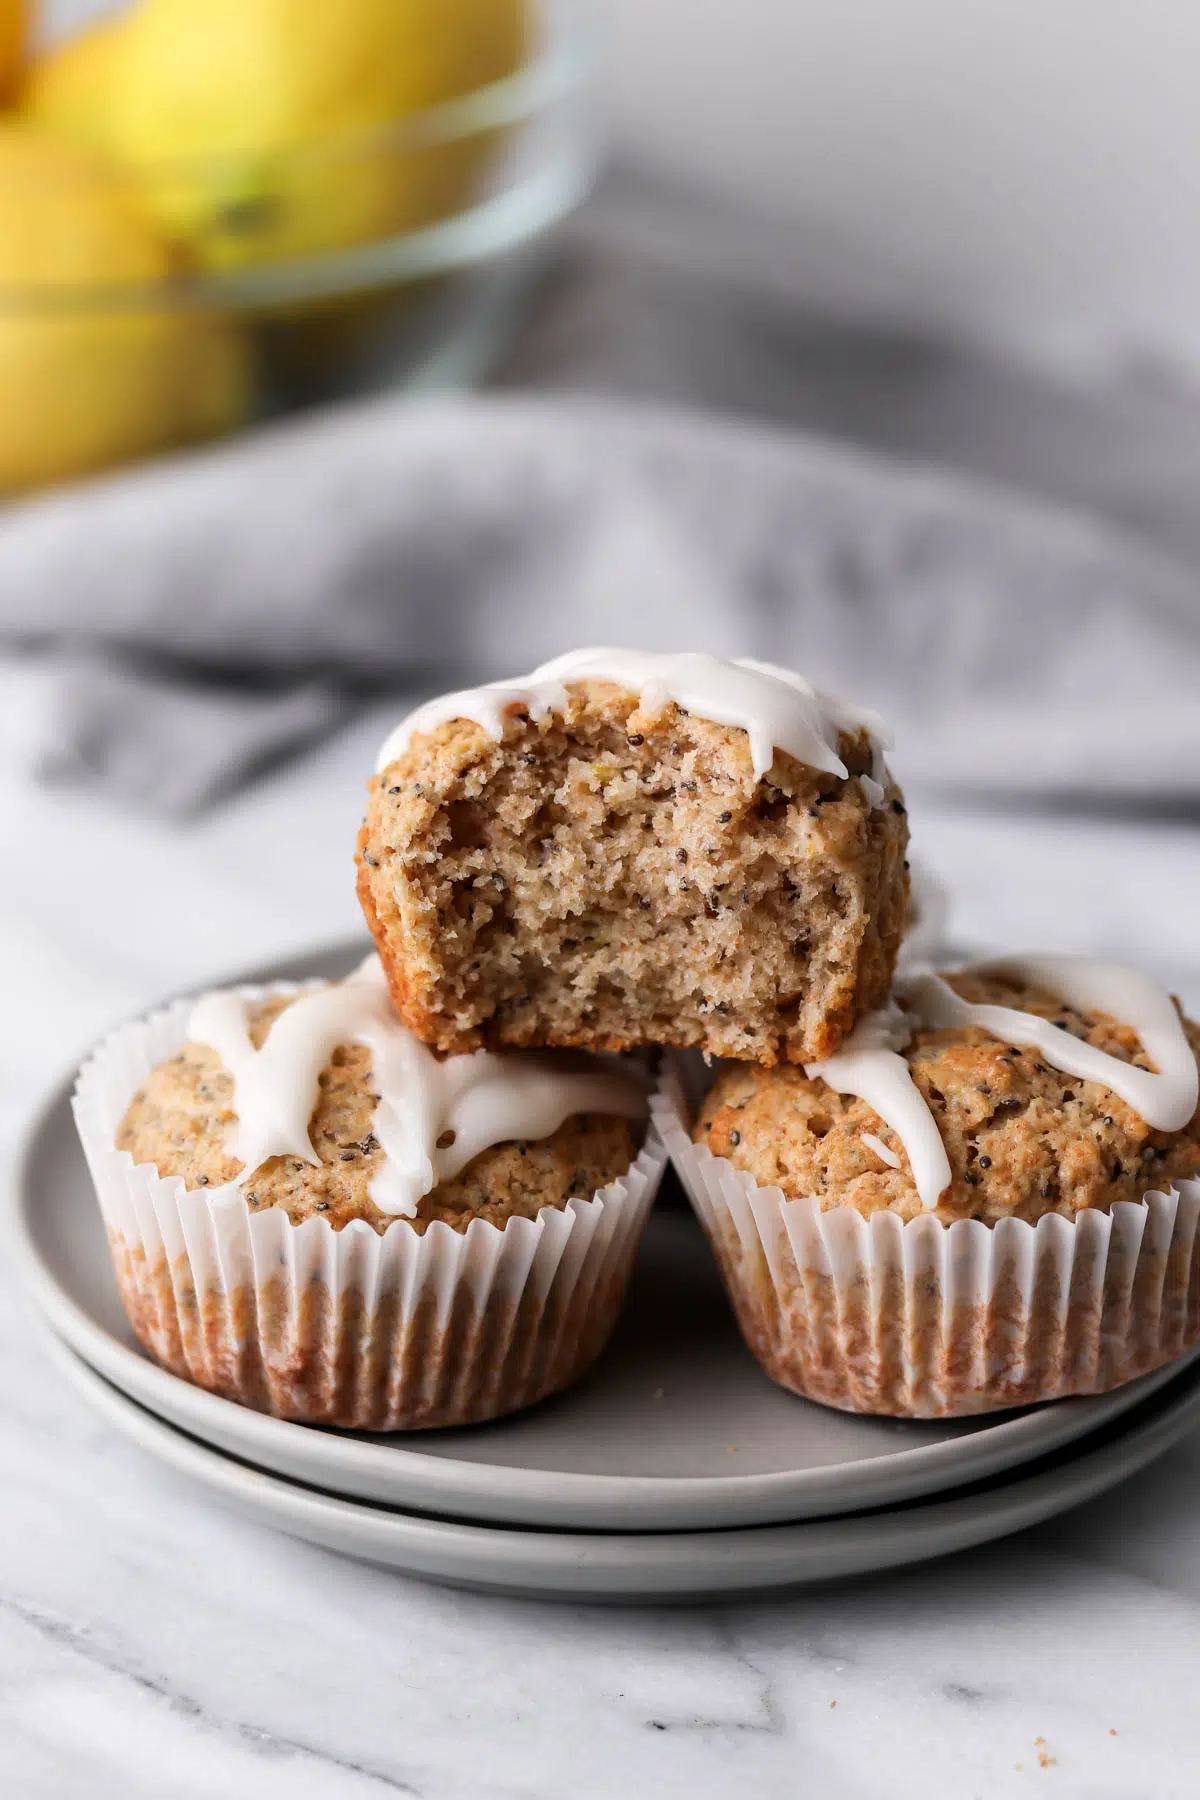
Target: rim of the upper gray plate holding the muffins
x: 503, y: 1491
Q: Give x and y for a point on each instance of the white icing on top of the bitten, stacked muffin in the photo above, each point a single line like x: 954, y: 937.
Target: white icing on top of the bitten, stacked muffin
x: 776, y: 708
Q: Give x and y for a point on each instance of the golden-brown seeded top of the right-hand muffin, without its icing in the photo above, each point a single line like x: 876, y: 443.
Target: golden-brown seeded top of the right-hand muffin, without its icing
x: 1021, y: 1137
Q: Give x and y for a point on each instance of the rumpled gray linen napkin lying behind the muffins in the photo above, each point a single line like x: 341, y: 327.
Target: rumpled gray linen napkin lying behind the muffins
x: 186, y: 624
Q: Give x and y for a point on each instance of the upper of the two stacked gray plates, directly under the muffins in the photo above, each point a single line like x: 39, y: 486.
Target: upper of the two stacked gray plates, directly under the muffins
x: 676, y: 1430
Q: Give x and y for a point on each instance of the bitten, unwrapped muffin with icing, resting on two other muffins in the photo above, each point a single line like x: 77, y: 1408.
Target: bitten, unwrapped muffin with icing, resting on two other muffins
x: 636, y: 850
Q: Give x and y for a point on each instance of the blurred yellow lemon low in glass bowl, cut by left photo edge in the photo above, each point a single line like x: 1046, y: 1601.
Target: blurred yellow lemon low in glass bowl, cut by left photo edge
x: 89, y: 379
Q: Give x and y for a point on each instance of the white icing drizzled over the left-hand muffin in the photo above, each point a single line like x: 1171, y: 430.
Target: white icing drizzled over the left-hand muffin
x: 479, y: 1101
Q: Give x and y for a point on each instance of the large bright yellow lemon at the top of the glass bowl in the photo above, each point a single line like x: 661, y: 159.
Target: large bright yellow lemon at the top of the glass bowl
x: 265, y: 129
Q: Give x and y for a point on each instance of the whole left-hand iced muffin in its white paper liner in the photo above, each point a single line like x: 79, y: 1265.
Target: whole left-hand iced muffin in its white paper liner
x: 314, y: 1216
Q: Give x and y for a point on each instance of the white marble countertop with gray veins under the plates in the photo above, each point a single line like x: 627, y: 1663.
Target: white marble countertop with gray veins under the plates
x: 156, y: 1646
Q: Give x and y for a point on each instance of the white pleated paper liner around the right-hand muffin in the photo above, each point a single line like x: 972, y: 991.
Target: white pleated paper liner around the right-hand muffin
x: 929, y: 1320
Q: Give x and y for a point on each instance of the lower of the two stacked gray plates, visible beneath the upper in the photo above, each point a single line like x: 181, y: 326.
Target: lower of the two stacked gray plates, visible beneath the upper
x: 668, y: 1565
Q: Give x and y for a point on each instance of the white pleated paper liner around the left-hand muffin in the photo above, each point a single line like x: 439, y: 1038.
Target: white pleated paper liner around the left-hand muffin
x: 375, y: 1331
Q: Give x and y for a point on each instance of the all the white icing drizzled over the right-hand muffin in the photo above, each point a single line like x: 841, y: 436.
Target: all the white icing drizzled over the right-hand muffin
x: 872, y: 1066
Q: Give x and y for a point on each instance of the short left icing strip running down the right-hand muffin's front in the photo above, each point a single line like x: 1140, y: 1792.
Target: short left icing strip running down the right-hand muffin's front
x: 870, y: 1066
